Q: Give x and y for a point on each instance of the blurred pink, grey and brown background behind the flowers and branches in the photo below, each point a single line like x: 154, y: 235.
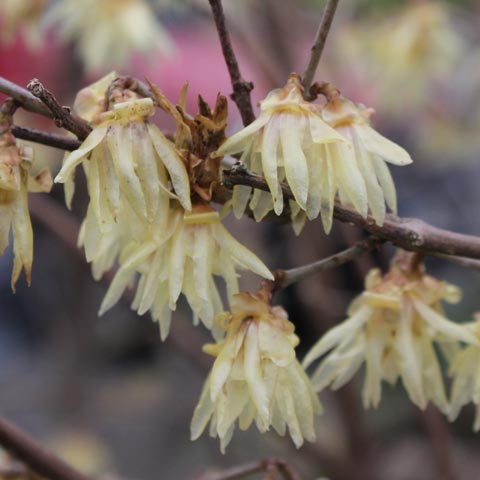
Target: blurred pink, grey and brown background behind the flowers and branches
x: 105, y: 393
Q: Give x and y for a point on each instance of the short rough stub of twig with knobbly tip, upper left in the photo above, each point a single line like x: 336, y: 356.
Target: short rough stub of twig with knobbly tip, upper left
x: 62, y: 116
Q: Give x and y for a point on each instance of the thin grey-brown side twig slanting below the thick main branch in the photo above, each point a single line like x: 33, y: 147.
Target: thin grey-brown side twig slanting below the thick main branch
x: 284, y: 278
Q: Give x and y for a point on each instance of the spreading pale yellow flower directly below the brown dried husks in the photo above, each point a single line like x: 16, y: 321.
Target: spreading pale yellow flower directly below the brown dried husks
x: 181, y: 253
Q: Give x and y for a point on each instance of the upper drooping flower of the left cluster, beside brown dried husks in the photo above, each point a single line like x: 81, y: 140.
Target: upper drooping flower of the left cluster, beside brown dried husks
x: 126, y: 158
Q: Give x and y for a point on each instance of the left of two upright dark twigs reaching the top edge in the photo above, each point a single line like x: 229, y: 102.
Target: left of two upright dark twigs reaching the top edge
x: 241, y: 88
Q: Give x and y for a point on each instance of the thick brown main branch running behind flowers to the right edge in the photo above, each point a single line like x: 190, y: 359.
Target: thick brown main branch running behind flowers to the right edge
x: 407, y: 233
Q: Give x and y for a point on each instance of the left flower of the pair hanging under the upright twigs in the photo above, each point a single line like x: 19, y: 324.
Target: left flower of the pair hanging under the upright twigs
x: 281, y: 143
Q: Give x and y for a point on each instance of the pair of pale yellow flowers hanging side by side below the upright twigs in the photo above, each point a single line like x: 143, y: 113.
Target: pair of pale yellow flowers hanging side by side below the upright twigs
x: 320, y: 151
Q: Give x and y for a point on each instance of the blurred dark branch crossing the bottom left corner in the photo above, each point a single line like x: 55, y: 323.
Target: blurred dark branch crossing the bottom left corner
x: 27, y: 450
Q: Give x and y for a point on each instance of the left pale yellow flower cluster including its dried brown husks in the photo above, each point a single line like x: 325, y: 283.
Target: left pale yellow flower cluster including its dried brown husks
x: 150, y: 202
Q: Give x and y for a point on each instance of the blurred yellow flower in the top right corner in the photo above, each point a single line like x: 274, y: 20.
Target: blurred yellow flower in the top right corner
x: 406, y: 53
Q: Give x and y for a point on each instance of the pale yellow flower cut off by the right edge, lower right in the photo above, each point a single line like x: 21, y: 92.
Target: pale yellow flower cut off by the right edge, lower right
x: 465, y: 370
